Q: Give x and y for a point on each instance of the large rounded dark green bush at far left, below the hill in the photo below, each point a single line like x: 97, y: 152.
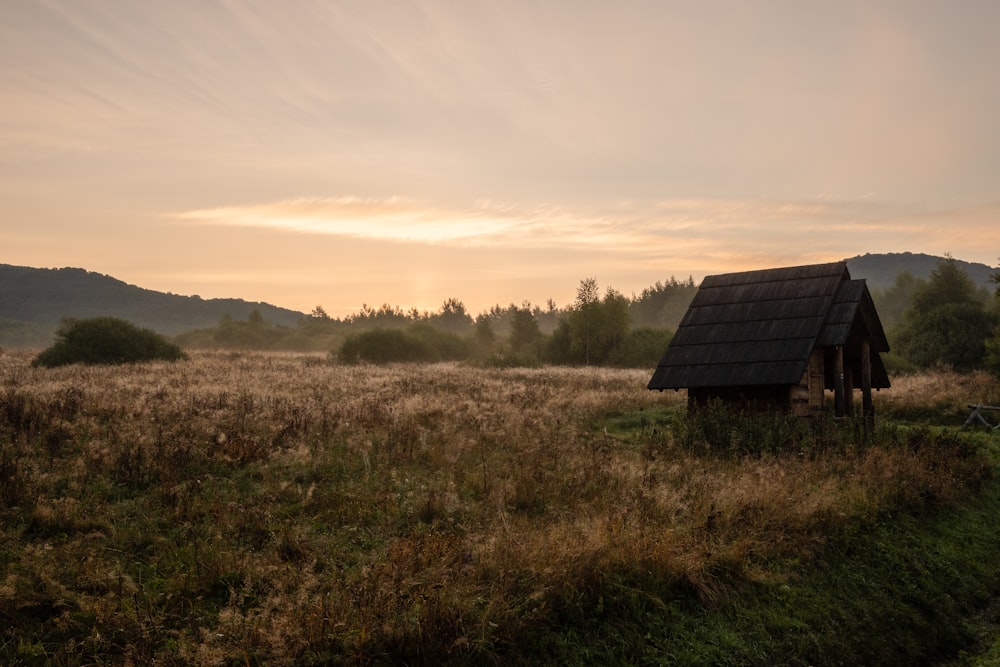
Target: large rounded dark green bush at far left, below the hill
x: 105, y: 340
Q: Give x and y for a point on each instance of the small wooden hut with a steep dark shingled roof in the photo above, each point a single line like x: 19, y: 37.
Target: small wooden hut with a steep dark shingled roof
x: 778, y: 338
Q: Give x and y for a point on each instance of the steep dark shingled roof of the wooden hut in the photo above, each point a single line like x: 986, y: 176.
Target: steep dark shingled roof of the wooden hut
x: 759, y: 327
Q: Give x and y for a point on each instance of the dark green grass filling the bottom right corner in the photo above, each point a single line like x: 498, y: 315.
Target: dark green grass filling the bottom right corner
x: 905, y: 591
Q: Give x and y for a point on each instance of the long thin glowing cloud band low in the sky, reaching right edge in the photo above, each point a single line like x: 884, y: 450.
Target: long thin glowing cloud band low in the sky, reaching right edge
x: 700, y: 231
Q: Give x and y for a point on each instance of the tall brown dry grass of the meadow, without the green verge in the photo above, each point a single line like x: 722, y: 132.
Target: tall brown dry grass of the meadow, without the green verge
x: 277, y: 508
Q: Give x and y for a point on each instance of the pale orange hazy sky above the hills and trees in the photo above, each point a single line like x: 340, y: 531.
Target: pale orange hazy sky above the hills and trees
x: 365, y: 152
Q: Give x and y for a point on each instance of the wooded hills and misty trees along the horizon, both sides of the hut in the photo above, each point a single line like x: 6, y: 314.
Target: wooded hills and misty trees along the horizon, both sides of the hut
x: 601, y: 326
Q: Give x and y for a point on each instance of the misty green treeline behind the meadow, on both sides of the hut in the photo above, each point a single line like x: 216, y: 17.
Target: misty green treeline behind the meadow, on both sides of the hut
x: 946, y: 320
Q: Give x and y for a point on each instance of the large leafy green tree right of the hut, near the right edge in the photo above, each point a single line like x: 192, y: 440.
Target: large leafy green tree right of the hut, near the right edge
x: 946, y: 324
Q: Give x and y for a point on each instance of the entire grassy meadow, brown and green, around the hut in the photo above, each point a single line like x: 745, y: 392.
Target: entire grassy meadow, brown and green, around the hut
x: 243, y: 508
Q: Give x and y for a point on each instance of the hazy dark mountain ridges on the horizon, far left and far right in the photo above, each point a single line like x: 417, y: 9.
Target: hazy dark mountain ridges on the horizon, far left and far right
x: 32, y: 300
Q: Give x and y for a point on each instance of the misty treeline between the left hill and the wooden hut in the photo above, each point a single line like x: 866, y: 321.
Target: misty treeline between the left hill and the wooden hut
x: 597, y: 328
